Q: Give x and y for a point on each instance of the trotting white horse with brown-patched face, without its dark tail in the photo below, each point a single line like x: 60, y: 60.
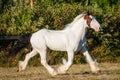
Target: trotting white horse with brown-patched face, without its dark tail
x: 70, y: 39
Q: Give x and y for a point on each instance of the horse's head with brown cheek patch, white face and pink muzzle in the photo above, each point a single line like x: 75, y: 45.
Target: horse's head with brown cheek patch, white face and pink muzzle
x: 92, y: 22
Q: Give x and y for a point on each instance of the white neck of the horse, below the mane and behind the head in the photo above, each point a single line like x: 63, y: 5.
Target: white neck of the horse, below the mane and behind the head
x: 79, y: 29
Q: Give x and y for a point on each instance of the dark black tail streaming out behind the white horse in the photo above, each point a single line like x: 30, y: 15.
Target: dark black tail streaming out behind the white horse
x: 22, y: 42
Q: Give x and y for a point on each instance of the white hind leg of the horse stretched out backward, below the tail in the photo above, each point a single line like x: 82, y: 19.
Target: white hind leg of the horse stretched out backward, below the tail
x: 22, y: 64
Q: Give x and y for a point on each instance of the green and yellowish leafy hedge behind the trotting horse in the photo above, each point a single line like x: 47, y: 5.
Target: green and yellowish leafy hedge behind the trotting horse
x: 18, y: 18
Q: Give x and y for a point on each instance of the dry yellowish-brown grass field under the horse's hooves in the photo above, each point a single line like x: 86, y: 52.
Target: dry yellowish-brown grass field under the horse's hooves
x: 109, y: 71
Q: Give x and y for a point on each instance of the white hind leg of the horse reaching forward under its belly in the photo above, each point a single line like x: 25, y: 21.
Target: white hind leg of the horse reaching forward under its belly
x: 45, y: 64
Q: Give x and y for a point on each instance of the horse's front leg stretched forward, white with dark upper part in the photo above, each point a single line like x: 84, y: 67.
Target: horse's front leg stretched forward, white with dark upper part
x: 93, y: 64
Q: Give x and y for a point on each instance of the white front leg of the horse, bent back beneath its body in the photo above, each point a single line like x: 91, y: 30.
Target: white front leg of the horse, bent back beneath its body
x: 63, y: 68
